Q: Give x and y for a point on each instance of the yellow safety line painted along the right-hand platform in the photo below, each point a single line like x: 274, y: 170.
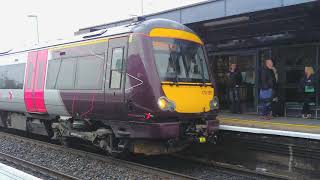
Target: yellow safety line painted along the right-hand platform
x: 268, y: 123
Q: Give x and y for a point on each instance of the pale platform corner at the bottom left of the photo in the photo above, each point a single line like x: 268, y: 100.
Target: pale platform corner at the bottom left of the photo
x: 10, y: 173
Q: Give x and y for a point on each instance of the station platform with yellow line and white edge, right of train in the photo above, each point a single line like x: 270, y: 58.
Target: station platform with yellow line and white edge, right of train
x: 282, y: 126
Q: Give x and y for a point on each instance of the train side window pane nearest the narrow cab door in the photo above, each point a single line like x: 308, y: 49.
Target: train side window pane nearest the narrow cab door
x: 89, y: 72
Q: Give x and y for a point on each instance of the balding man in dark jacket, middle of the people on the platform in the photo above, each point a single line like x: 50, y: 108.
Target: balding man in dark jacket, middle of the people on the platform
x: 268, y: 85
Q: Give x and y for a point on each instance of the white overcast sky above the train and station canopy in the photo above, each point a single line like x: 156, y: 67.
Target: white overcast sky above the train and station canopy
x: 61, y: 18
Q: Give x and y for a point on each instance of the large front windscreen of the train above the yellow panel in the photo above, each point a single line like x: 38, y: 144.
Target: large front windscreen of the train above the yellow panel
x: 180, y: 60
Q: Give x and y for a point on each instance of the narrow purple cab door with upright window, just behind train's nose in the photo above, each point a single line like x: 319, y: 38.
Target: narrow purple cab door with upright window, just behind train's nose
x: 114, y: 91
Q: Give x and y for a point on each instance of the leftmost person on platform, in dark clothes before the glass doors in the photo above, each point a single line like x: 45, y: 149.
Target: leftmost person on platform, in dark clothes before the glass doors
x: 235, y: 80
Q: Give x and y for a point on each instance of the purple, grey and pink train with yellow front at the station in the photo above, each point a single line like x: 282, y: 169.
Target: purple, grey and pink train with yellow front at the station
x: 144, y: 88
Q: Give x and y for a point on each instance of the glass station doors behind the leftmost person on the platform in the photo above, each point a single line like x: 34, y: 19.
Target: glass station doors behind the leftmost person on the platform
x: 246, y: 62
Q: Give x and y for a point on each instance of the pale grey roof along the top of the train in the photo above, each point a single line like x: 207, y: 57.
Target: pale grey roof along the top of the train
x: 139, y: 26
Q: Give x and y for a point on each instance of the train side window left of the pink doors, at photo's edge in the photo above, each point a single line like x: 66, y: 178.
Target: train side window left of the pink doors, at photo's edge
x: 12, y: 76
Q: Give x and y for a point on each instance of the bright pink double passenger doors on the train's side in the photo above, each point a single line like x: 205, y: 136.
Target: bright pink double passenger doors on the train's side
x: 34, y: 81
